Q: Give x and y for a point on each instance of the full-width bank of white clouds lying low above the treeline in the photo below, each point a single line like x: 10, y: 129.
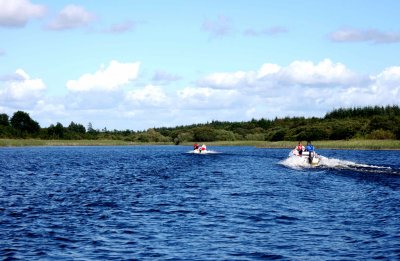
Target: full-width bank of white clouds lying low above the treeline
x: 301, y: 88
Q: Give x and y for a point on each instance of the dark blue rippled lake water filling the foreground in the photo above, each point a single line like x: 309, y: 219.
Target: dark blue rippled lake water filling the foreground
x: 160, y: 203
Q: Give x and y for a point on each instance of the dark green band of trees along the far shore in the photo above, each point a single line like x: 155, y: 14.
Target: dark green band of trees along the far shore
x: 340, y: 124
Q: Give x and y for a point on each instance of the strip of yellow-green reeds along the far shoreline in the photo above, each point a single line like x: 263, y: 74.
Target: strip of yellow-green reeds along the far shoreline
x: 326, y: 144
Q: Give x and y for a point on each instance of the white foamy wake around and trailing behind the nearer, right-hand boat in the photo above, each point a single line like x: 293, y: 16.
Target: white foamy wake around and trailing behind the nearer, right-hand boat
x: 338, y: 164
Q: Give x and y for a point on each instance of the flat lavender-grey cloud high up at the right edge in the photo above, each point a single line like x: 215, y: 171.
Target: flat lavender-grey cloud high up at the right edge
x: 368, y: 35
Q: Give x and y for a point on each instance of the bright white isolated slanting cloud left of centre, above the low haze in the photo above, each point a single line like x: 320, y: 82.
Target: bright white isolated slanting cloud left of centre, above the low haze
x: 110, y: 78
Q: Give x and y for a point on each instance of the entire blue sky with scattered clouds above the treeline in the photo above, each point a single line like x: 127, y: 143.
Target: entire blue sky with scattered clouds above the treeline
x: 137, y: 64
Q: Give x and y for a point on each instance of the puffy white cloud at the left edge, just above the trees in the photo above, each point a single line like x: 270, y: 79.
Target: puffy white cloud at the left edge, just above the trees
x: 20, y: 89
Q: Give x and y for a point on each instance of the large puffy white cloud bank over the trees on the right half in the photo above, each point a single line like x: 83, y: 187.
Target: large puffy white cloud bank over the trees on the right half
x: 275, y: 90
